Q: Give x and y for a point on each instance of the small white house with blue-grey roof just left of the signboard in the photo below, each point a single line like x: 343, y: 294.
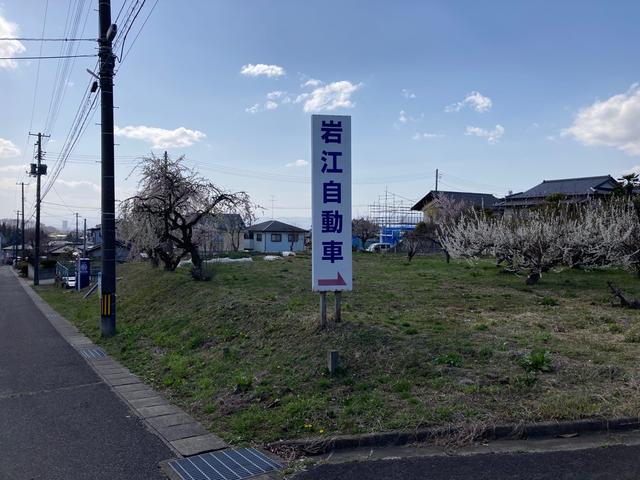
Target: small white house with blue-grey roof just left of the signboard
x: 274, y: 236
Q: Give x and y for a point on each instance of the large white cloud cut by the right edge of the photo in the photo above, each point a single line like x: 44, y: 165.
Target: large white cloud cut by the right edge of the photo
x: 614, y: 122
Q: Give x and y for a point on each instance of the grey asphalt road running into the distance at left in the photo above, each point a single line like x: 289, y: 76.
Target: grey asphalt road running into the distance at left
x: 58, y: 420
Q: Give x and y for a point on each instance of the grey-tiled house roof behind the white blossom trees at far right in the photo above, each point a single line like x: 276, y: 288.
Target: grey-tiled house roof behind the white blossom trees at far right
x: 568, y: 190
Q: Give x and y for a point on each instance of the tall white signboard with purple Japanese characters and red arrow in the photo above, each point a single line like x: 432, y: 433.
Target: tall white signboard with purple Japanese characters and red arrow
x: 331, y: 202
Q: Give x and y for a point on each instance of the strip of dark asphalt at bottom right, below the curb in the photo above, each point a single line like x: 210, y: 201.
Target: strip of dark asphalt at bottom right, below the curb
x: 614, y: 462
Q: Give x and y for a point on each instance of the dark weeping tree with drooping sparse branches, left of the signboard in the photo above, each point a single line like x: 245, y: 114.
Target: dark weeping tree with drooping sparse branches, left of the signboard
x: 162, y: 218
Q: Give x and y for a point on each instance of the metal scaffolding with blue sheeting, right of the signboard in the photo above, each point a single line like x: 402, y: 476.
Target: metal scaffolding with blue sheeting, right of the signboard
x: 393, y: 214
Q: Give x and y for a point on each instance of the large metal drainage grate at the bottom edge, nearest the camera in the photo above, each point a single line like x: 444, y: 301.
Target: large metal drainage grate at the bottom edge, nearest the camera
x: 224, y: 465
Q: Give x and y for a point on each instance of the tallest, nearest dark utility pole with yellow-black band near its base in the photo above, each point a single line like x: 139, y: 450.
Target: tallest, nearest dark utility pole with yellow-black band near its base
x: 107, y: 32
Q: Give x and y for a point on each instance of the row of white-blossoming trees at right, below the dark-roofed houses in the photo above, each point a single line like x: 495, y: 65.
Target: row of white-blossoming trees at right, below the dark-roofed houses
x: 593, y: 234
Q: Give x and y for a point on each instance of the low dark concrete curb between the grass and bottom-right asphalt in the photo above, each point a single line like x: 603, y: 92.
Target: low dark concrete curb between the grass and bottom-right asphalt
x: 320, y: 445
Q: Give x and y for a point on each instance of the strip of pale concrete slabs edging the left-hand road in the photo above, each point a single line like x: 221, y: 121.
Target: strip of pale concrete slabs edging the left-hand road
x: 157, y: 414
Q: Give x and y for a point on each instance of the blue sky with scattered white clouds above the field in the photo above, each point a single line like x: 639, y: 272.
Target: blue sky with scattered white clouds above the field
x: 497, y: 96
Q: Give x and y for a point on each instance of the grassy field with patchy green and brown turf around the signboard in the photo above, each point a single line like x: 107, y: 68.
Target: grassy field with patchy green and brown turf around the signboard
x: 422, y: 343
